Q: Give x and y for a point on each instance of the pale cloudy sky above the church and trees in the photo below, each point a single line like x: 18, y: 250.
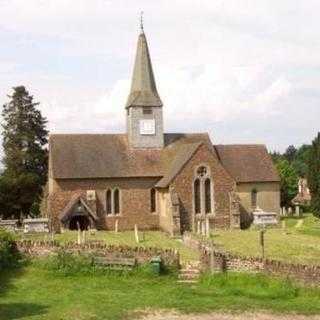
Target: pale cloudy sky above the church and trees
x: 246, y: 71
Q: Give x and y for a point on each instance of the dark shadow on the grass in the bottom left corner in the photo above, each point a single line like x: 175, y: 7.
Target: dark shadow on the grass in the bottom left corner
x: 11, y: 311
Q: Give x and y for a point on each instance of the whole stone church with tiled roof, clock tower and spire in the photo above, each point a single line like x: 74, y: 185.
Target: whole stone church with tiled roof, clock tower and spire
x: 173, y: 182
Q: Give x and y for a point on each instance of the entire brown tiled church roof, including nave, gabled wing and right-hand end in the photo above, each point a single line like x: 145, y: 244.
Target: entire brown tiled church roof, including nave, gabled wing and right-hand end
x: 75, y: 156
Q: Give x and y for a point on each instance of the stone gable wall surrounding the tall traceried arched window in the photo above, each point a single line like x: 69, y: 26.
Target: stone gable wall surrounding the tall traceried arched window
x: 223, y: 185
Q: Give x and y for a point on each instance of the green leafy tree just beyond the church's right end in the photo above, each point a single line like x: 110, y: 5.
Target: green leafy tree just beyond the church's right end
x: 288, y: 181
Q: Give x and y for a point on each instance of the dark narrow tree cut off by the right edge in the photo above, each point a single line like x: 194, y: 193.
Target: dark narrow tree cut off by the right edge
x: 314, y: 175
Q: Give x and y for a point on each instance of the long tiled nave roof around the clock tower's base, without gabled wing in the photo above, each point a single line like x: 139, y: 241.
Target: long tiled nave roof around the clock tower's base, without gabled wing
x: 75, y: 156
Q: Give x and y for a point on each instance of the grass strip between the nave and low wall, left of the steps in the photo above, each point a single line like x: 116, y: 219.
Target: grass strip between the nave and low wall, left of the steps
x: 148, y: 239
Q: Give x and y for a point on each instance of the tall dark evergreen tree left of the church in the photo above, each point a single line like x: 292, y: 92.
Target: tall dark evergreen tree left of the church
x: 25, y: 153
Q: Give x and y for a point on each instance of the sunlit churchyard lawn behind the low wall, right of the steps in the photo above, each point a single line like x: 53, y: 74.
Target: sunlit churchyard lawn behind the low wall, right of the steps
x: 292, y: 244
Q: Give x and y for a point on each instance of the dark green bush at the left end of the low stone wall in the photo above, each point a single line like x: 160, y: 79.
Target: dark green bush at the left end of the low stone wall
x: 9, y: 255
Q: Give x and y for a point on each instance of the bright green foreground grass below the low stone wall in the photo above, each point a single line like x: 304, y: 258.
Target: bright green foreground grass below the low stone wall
x: 36, y: 294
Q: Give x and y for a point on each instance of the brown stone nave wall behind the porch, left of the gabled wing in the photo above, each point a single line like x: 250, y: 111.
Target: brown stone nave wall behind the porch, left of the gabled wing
x: 134, y: 201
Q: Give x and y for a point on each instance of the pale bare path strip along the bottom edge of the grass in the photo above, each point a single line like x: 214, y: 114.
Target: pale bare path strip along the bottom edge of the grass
x: 221, y: 316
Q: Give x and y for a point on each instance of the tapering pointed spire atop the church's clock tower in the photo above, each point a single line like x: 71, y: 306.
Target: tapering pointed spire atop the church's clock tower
x: 143, y: 87
